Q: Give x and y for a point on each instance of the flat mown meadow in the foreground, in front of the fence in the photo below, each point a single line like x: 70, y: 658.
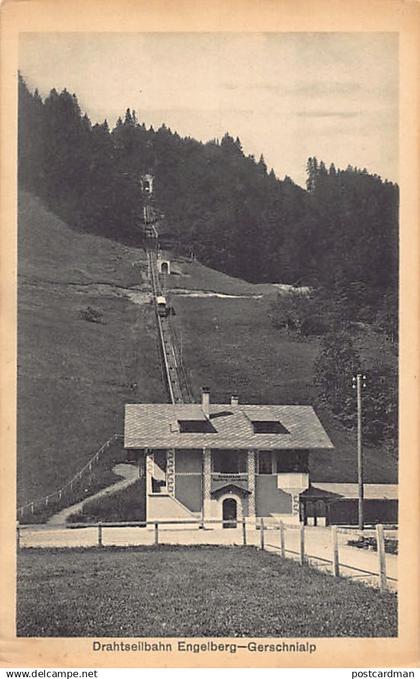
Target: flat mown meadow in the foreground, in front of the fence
x: 191, y: 591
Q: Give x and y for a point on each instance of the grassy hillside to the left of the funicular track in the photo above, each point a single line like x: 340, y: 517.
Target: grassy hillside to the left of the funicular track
x: 74, y: 376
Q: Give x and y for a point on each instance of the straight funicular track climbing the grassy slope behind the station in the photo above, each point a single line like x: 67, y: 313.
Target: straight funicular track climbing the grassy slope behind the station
x: 176, y: 379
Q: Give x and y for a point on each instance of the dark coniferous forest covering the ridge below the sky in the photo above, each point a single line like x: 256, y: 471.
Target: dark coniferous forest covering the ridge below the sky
x: 339, y: 236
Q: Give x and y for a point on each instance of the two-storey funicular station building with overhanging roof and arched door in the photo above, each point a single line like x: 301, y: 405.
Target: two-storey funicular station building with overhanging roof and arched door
x: 206, y: 461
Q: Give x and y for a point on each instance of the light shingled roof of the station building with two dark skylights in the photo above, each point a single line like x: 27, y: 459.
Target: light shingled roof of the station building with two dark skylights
x: 148, y: 425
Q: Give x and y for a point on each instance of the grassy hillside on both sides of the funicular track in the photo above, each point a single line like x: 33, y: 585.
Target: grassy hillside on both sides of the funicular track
x: 74, y: 376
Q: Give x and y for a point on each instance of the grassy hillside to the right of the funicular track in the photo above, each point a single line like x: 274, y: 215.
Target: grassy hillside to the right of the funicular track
x: 231, y: 346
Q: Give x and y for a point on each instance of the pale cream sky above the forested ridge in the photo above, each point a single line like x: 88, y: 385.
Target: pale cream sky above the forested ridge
x: 287, y: 96
